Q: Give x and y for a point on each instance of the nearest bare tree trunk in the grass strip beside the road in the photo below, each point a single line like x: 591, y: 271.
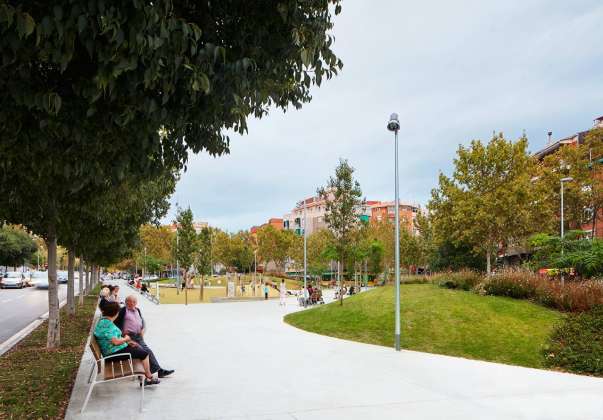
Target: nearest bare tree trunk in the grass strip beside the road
x: 53, y: 339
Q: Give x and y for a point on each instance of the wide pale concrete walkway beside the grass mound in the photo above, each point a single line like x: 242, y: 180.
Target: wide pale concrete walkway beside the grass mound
x: 241, y: 361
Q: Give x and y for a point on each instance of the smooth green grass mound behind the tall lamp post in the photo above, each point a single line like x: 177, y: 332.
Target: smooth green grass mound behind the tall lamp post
x: 438, y: 320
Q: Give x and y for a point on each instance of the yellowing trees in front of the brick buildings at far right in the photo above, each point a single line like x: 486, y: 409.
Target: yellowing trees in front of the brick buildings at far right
x: 499, y: 195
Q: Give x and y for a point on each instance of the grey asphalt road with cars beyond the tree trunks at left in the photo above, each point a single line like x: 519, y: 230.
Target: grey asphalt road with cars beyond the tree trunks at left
x: 22, y: 306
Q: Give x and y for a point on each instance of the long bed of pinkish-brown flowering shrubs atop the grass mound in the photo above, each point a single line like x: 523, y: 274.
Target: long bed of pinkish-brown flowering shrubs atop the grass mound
x: 573, y: 296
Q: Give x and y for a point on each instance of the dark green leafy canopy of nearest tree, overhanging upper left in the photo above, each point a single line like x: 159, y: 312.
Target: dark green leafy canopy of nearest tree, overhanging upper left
x: 138, y: 83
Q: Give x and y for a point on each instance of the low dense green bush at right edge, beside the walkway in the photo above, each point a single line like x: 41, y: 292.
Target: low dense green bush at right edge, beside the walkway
x: 577, y: 344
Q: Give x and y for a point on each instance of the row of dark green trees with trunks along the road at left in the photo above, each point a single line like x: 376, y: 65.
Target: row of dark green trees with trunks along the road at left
x: 100, y: 105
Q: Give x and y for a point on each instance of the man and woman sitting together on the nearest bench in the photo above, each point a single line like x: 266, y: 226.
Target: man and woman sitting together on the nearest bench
x: 121, y: 330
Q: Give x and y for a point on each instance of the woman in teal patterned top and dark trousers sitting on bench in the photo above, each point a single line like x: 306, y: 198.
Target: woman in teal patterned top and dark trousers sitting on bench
x: 111, y: 341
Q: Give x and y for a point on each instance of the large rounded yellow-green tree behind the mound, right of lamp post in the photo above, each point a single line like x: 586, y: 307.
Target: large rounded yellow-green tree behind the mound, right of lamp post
x: 488, y: 201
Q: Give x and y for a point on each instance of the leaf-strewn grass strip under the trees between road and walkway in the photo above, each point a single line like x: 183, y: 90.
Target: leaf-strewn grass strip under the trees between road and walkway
x: 36, y: 383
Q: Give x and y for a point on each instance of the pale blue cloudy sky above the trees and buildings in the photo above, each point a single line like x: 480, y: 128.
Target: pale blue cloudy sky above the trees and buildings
x: 453, y: 71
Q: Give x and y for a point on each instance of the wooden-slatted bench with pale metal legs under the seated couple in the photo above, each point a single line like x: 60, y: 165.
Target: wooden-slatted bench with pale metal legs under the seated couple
x: 107, y: 369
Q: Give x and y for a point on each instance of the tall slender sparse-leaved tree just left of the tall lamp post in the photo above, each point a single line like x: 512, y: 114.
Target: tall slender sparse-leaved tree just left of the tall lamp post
x: 342, y: 196
